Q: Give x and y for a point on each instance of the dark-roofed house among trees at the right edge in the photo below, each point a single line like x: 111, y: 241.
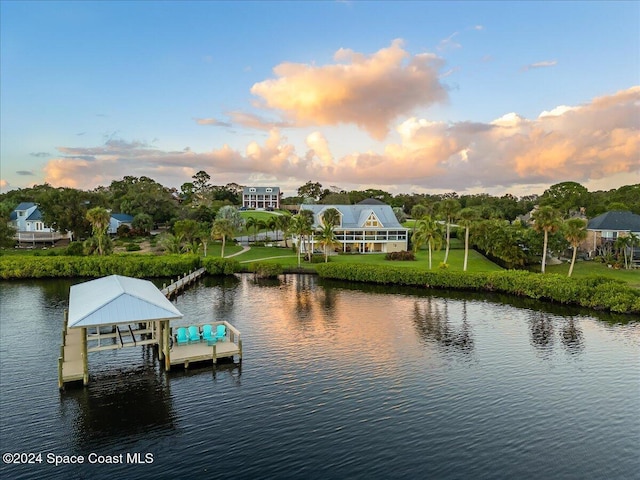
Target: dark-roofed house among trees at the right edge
x: 608, y: 227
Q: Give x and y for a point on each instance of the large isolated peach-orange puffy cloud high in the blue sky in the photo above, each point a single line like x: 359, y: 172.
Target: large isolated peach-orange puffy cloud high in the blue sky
x: 368, y: 91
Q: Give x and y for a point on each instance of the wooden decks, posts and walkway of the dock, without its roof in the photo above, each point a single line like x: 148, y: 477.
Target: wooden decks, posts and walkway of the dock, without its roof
x: 78, y: 342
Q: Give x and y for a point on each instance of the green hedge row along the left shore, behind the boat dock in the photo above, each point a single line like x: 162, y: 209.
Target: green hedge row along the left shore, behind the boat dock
x: 139, y: 266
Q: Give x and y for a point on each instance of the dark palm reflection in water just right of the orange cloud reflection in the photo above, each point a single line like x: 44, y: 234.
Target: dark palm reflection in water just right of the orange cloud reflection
x: 431, y: 320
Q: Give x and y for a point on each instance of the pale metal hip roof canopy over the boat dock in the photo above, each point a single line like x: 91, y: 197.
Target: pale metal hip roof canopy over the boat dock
x: 116, y: 299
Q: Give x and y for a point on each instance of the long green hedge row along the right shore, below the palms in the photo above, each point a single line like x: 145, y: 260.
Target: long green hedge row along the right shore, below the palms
x: 599, y: 293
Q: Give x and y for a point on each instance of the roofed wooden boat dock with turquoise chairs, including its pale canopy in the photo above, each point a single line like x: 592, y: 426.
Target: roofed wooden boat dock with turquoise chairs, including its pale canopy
x: 86, y: 337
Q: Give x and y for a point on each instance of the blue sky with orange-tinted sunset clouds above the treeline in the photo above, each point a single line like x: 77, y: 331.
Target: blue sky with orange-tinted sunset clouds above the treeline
x: 407, y: 97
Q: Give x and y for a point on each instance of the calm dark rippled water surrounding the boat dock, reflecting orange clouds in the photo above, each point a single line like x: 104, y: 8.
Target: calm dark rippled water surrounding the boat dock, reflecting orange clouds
x: 336, y: 382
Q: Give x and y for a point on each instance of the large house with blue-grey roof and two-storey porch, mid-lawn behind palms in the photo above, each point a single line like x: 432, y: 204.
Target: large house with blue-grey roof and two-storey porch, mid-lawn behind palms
x: 363, y: 228
